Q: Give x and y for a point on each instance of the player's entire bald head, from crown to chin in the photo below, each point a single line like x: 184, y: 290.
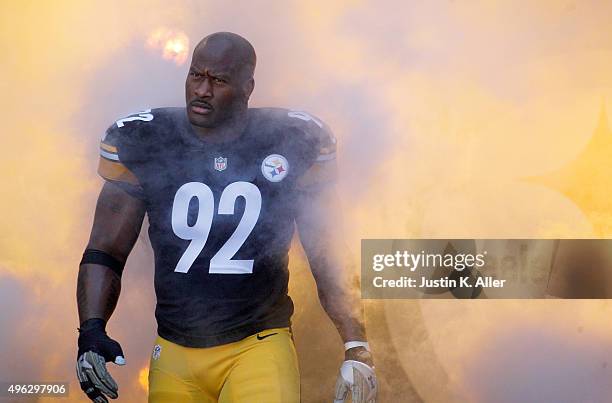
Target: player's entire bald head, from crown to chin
x: 220, y: 79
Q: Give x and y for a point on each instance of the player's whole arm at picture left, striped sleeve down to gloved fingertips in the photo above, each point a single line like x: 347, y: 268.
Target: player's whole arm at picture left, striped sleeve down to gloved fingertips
x: 117, y: 223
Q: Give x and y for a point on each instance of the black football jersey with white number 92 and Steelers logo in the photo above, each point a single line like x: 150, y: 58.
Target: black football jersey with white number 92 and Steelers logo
x: 221, y: 215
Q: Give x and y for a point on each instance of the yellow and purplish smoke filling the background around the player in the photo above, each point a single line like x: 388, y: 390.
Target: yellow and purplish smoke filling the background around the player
x: 451, y: 118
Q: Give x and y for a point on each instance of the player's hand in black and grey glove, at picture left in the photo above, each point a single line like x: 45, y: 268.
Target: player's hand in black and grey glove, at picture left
x: 95, y: 350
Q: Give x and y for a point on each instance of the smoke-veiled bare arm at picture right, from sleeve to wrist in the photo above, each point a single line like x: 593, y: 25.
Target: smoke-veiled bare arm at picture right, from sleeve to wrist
x: 319, y: 227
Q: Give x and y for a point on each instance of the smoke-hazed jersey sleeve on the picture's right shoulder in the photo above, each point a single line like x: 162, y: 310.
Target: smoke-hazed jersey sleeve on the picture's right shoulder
x: 322, y: 169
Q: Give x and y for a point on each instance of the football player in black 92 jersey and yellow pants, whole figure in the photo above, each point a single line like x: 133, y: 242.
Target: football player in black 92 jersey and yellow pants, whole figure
x: 223, y: 186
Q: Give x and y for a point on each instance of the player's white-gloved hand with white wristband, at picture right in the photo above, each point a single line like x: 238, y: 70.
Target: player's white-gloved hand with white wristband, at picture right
x: 357, y: 375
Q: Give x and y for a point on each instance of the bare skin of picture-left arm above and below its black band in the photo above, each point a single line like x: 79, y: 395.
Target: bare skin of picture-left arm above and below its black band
x: 116, y: 226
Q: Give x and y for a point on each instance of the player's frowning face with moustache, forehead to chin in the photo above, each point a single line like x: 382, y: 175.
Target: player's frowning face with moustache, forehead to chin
x: 214, y: 90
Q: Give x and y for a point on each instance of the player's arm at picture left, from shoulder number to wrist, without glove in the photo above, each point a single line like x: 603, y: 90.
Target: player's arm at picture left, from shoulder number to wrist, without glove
x: 117, y: 221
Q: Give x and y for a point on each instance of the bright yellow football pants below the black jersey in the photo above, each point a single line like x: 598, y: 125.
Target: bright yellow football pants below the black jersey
x: 261, y: 368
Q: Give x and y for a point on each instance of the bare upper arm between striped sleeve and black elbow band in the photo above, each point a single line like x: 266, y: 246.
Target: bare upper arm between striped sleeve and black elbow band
x: 117, y: 222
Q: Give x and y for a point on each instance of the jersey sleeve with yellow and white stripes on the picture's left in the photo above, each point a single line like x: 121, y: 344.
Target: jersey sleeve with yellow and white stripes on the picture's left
x: 113, y: 162
